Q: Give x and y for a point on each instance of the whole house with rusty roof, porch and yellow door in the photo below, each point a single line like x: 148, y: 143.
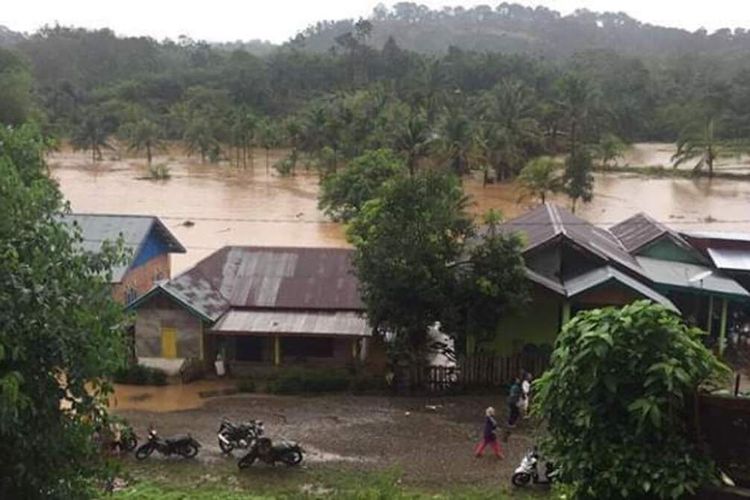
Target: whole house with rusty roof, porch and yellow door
x: 257, y: 307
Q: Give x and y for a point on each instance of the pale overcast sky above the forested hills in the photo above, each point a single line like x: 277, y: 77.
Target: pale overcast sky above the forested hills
x: 278, y: 20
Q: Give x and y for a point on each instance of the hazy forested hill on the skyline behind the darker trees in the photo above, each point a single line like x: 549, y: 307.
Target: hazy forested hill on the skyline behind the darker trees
x: 514, y: 28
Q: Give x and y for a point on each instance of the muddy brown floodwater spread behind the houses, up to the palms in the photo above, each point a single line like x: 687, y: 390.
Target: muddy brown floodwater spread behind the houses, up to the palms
x: 209, y: 206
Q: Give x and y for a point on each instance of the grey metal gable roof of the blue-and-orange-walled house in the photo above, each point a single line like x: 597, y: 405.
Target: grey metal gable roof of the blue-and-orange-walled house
x: 134, y: 229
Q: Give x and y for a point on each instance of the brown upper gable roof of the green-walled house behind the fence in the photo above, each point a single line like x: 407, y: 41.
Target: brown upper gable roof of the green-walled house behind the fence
x: 548, y: 222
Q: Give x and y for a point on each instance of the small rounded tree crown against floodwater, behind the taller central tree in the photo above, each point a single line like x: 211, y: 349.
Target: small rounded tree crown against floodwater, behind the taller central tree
x: 344, y: 193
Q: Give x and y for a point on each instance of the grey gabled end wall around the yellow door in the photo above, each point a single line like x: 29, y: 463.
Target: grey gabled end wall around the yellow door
x: 158, y: 313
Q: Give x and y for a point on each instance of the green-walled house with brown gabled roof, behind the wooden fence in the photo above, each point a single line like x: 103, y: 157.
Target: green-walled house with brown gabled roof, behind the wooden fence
x: 572, y: 265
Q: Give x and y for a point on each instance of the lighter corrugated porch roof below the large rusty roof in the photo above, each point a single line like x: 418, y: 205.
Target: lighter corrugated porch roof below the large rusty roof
x: 324, y: 323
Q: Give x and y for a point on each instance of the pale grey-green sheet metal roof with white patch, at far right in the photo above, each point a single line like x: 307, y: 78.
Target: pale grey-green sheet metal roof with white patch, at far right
x: 690, y: 277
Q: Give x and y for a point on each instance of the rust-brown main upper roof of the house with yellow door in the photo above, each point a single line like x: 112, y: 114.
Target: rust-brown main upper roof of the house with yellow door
x: 266, y: 278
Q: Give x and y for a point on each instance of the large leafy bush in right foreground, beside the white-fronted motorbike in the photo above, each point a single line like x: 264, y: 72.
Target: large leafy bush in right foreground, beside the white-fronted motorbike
x: 616, y: 402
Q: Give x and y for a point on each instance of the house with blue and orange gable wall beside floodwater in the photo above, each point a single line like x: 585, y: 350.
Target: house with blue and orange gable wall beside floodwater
x: 147, y: 242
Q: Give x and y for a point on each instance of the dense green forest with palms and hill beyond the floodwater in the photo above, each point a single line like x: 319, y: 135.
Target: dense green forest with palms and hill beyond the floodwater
x: 469, y: 95
